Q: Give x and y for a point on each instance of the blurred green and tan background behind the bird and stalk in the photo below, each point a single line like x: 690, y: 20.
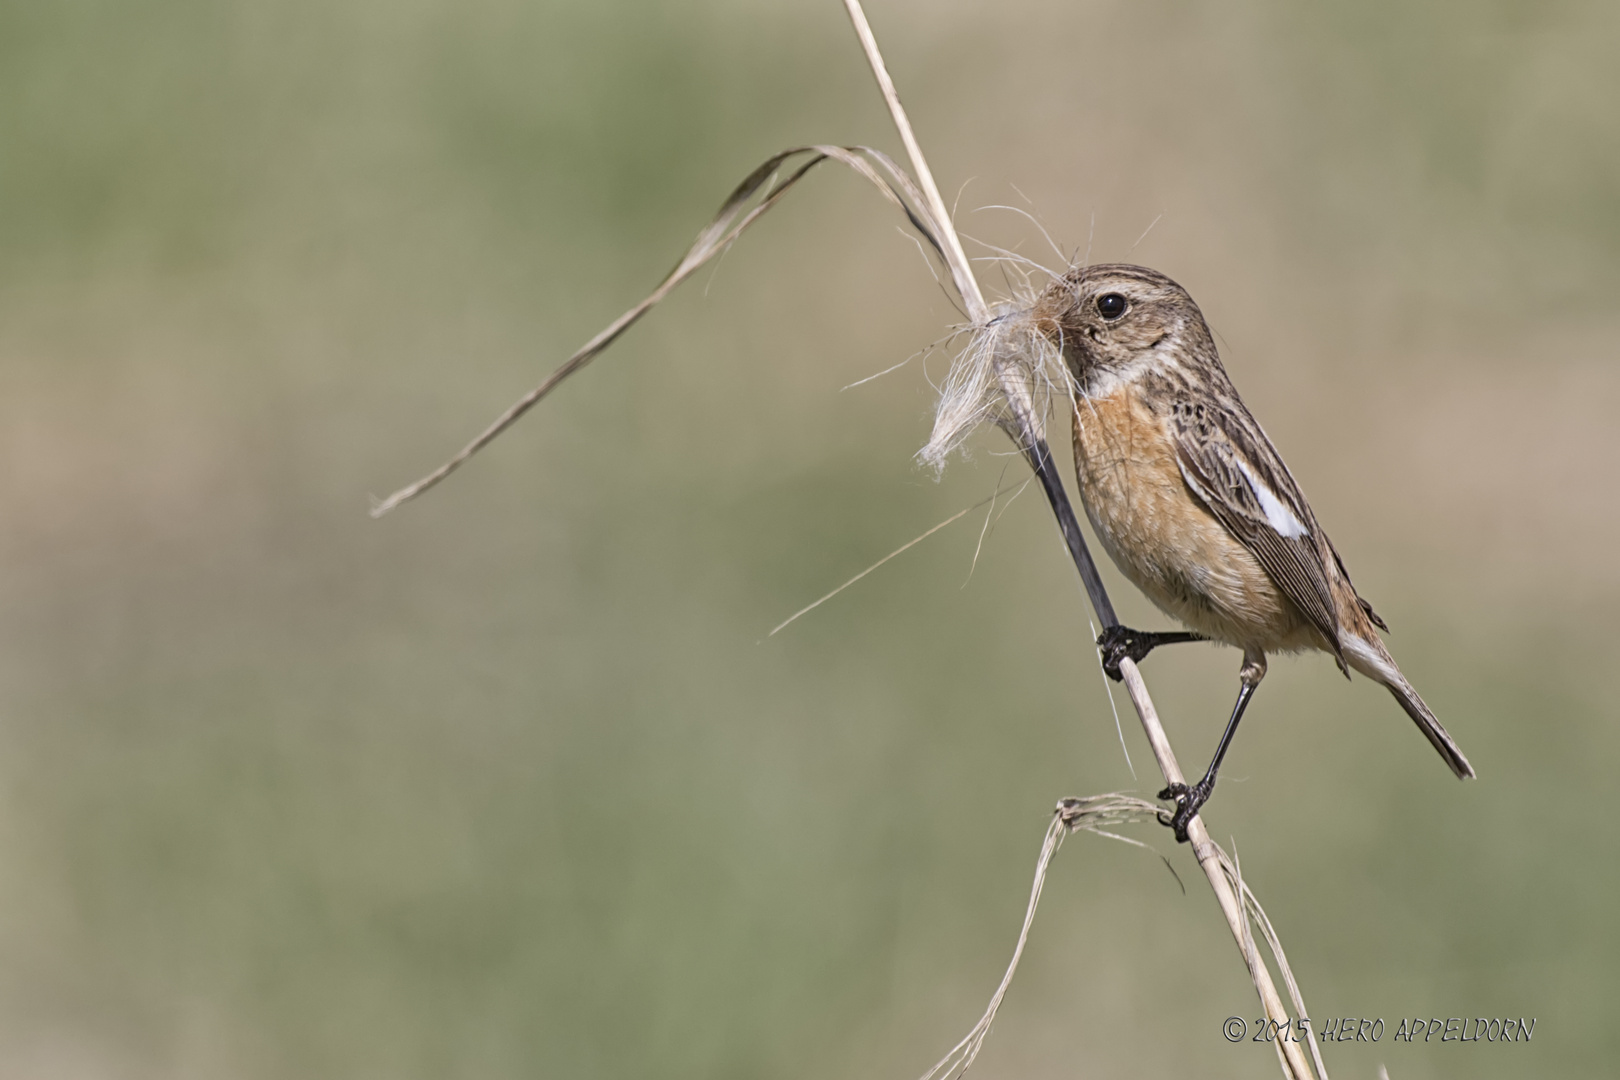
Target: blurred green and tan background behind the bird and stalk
x: 508, y: 784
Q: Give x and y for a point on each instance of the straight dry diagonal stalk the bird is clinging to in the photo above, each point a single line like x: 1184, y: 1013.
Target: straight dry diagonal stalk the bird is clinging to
x: 1297, y: 1068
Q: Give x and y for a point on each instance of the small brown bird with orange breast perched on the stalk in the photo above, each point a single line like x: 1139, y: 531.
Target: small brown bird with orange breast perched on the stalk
x: 1195, y: 504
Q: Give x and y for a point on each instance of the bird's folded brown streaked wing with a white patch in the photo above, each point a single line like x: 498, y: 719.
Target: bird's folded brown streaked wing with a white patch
x: 1235, y: 472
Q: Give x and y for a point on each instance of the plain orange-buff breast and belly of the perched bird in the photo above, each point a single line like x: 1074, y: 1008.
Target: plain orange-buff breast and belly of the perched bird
x: 1162, y: 540
